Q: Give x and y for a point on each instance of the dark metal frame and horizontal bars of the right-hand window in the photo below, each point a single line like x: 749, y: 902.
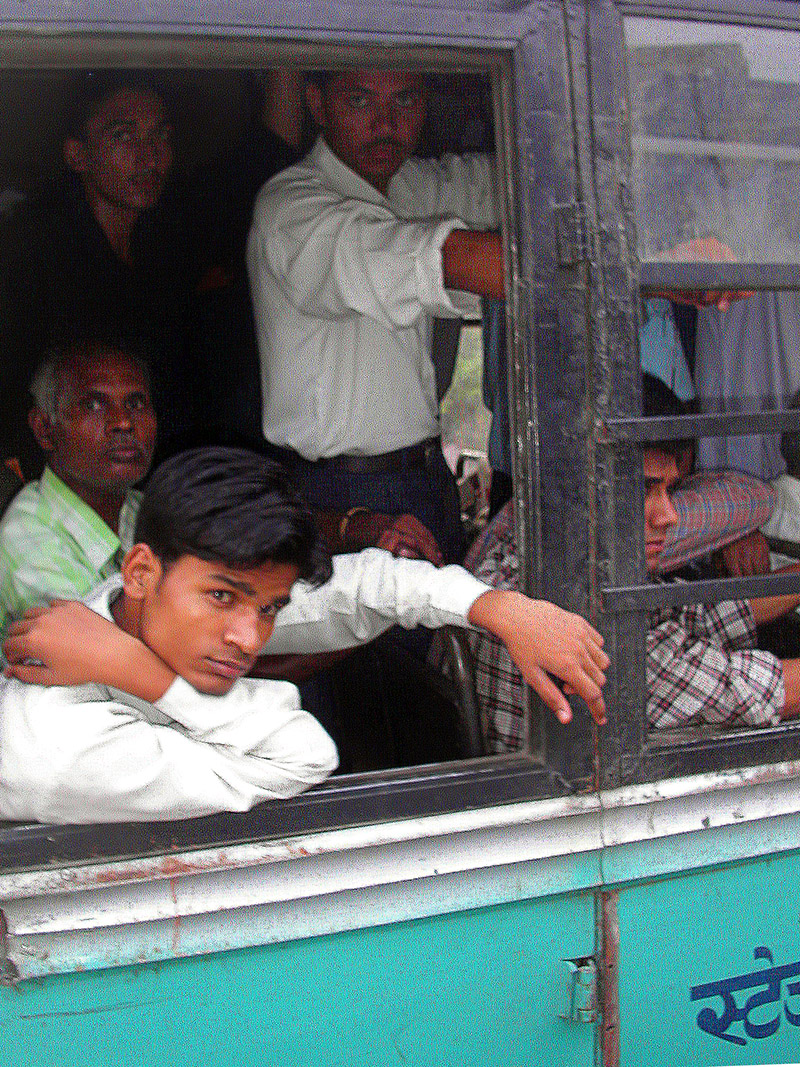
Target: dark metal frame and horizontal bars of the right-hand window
x: 629, y: 753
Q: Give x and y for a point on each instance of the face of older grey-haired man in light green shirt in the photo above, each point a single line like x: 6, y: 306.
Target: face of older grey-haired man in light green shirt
x: 104, y: 435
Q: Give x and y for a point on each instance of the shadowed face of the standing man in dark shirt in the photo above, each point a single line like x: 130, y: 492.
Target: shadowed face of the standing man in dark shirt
x: 126, y: 155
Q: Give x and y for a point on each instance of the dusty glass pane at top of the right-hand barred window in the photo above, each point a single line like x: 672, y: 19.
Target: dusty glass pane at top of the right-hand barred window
x: 716, y: 139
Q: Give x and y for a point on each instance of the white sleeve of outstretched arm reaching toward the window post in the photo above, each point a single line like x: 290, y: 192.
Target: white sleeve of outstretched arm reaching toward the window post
x: 370, y: 593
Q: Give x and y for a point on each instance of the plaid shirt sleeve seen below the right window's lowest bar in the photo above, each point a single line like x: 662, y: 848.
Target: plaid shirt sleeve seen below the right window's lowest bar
x: 702, y: 667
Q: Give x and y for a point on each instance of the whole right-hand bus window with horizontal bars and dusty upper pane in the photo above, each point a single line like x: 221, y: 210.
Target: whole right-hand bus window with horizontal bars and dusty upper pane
x: 716, y: 174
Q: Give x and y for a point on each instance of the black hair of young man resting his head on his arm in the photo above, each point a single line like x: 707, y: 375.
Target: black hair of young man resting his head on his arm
x: 233, y: 506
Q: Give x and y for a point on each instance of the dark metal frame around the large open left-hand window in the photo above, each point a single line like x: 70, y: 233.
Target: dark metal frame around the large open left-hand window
x: 514, y: 46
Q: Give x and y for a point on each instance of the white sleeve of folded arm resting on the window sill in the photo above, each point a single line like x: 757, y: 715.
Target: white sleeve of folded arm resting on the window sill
x: 89, y: 755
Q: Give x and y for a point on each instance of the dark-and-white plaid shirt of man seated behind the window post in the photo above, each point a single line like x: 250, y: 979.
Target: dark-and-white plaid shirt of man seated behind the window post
x: 702, y: 665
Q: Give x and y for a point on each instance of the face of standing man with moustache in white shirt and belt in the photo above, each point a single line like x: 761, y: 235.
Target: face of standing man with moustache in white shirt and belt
x: 372, y: 120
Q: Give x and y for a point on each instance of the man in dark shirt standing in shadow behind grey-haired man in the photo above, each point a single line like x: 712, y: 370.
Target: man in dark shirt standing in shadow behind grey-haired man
x: 103, y: 246
